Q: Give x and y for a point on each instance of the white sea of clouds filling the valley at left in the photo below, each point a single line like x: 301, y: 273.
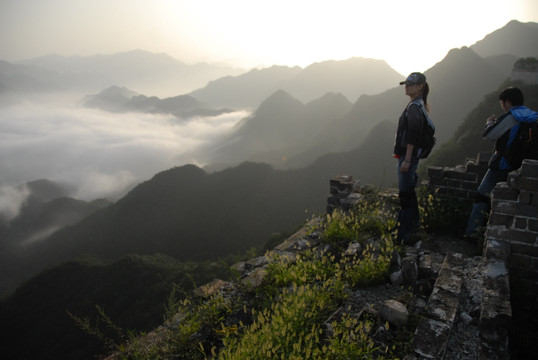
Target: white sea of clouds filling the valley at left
x: 101, y: 154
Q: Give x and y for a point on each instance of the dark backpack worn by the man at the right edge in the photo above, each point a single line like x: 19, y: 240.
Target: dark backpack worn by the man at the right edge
x: 522, y: 144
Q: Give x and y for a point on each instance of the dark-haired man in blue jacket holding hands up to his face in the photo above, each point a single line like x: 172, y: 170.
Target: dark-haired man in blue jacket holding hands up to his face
x: 500, y: 130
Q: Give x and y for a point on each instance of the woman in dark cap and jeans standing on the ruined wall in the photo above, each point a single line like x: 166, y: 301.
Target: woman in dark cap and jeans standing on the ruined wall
x: 407, y: 151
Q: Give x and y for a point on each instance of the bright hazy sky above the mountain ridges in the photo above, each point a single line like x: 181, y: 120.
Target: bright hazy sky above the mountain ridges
x: 409, y: 35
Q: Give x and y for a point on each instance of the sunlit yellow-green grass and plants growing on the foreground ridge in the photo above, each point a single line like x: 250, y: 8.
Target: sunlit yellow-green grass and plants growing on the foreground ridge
x: 284, y: 317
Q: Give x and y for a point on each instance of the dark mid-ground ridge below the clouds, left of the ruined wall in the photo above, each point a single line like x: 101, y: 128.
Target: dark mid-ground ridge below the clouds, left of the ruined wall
x: 190, y: 215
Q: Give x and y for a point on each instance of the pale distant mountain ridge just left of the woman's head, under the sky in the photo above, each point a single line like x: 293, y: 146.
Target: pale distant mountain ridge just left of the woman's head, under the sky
x: 352, y: 78
